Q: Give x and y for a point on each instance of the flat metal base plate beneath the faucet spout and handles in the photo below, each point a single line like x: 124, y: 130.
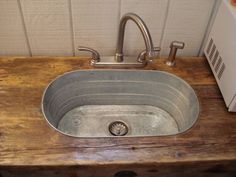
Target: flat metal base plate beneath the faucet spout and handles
x: 128, y: 62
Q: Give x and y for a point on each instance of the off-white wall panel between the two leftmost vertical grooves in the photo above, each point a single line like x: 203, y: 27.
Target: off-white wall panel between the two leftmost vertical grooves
x: 48, y: 27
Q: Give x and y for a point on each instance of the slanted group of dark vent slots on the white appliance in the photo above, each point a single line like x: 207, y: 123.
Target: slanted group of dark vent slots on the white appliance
x: 215, y: 59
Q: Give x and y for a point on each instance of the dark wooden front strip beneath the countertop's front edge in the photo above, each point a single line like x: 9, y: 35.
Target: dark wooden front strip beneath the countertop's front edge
x: 208, y: 169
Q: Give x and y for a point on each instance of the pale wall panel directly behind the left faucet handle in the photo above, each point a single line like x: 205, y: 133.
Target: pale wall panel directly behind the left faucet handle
x: 95, y: 24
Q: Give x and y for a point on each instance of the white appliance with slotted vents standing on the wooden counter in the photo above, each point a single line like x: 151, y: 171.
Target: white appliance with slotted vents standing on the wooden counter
x: 220, y: 52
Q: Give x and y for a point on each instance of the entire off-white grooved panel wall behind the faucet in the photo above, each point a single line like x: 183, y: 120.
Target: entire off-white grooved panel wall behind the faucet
x: 57, y: 27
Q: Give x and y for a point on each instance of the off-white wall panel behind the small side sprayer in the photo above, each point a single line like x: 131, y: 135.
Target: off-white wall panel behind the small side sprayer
x: 187, y: 21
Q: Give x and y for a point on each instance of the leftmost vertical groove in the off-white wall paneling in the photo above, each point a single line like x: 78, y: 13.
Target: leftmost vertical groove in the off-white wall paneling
x: 24, y: 28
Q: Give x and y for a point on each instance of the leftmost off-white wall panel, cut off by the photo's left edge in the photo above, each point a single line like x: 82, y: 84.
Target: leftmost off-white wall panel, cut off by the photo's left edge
x: 12, y: 36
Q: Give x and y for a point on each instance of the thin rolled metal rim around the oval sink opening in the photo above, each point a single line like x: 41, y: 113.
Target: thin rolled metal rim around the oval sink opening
x: 121, y: 70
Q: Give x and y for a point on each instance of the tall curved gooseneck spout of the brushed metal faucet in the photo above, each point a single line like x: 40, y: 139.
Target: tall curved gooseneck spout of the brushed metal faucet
x: 150, y: 53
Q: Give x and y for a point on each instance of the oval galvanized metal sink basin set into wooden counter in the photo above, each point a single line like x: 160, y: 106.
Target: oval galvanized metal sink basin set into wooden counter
x: 104, y: 103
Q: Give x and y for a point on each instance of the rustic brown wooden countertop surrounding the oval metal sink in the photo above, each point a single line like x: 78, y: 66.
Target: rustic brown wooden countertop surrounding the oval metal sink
x: 27, y: 140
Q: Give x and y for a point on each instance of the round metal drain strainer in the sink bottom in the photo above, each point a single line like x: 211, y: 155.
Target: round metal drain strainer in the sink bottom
x: 118, y: 128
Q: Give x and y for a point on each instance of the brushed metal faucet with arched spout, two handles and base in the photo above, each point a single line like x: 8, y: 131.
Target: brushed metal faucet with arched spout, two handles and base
x: 119, y: 60
